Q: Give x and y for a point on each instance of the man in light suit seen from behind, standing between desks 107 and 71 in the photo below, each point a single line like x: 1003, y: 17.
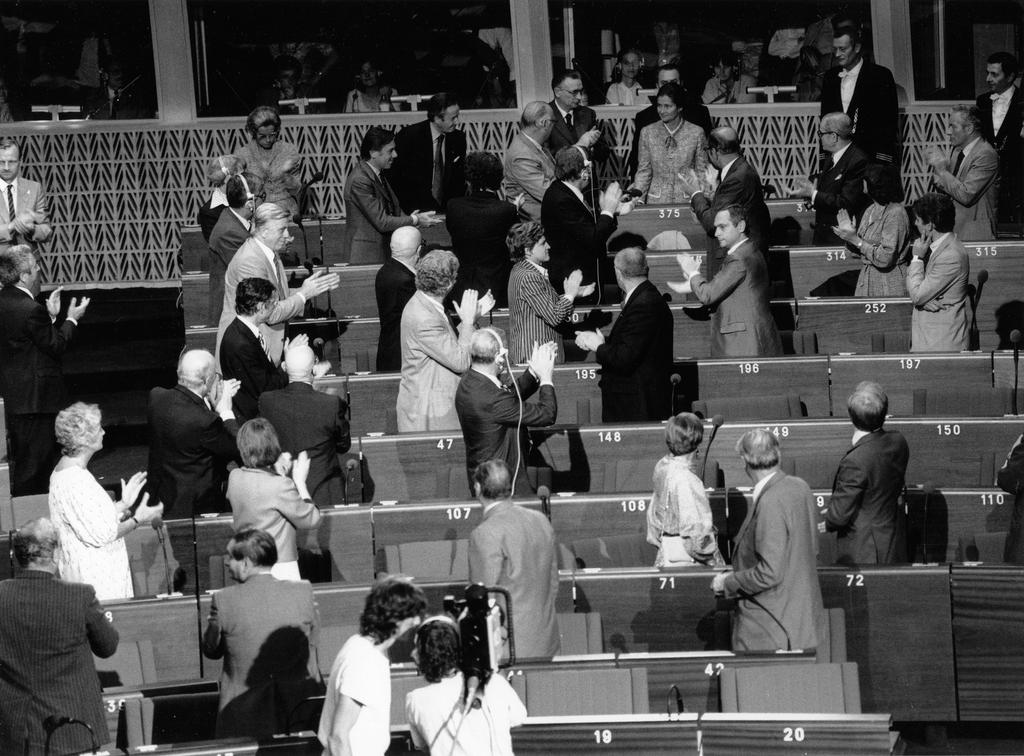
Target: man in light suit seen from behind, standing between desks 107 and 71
x: 515, y: 549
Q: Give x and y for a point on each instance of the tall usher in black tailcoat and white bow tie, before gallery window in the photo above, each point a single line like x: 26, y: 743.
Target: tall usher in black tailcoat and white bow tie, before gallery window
x: 867, y: 94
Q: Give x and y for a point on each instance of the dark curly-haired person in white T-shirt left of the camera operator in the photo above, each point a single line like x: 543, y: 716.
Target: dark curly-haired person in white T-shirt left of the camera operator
x: 357, y: 712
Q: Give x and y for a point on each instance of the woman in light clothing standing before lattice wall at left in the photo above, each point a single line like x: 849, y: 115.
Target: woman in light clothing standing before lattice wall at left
x: 276, y: 164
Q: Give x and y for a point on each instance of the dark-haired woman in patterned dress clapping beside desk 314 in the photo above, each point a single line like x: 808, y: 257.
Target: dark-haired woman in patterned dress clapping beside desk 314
x: 882, y: 241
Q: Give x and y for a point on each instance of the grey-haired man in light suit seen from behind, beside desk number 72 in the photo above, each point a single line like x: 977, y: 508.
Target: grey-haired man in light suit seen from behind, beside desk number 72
x: 775, y: 574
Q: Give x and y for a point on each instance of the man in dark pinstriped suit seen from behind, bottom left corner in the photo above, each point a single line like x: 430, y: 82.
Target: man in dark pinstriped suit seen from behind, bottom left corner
x: 49, y: 633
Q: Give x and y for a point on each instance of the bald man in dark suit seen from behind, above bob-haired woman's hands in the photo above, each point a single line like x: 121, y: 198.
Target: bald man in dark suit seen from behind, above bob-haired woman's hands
x: 311, y: 422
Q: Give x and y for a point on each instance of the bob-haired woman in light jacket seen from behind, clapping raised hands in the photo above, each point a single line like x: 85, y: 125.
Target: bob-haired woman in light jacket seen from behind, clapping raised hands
x: 264, y: 497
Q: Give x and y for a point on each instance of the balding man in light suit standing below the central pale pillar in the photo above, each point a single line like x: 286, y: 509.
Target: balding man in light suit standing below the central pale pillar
x: 530, y: 167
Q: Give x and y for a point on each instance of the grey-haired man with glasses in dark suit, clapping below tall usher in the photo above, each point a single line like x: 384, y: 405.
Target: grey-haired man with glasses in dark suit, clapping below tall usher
x: 840, y: 183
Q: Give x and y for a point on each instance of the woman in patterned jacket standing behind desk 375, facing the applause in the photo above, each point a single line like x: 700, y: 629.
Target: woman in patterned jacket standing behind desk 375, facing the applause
x: 667, y: 148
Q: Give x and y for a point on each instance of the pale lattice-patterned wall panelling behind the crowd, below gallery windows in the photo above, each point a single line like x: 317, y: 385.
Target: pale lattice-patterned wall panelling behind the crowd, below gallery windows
x: 119, y: 198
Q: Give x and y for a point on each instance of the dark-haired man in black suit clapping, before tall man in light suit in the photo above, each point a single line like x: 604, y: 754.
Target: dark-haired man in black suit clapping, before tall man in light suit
x: 243, y: 351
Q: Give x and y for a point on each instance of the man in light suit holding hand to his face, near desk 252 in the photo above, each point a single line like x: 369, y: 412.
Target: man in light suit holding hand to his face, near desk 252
x: 938, y: 288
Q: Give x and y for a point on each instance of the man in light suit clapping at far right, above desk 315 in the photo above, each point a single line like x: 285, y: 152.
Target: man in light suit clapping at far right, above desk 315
x: 970, y: 175
